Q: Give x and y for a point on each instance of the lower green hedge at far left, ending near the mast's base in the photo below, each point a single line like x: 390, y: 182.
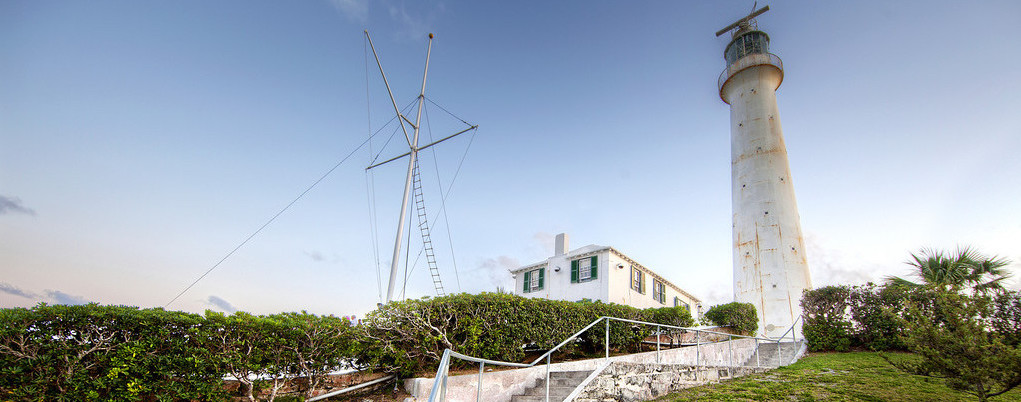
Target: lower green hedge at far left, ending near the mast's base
x: 117, y: 354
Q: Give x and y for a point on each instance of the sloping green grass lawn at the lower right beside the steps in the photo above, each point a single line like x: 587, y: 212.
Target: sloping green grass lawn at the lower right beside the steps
x: 834, y: 377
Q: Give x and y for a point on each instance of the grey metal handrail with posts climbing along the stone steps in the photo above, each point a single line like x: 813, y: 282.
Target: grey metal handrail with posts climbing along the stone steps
x: 439, y: 392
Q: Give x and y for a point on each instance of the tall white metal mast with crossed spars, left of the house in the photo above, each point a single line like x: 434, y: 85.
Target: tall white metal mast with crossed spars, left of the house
x: 413, y: 143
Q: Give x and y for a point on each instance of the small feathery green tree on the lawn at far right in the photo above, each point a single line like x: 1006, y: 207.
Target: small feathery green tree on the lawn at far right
x: 953, y: 339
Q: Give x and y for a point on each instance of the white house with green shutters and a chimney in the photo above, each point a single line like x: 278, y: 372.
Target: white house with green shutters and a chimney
x: 600, y: 273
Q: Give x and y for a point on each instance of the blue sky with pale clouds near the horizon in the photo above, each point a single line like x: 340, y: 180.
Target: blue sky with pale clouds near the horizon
x: 140, y: 142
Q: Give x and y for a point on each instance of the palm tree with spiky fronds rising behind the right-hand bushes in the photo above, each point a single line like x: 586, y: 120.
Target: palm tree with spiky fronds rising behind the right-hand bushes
x: 954, y: 272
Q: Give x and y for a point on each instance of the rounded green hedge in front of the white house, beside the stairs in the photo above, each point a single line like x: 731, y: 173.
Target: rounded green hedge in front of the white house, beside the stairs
x: 408, y: 337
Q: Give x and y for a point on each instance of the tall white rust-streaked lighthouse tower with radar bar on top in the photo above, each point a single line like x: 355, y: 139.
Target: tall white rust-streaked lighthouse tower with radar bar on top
x: 770, y: 269
